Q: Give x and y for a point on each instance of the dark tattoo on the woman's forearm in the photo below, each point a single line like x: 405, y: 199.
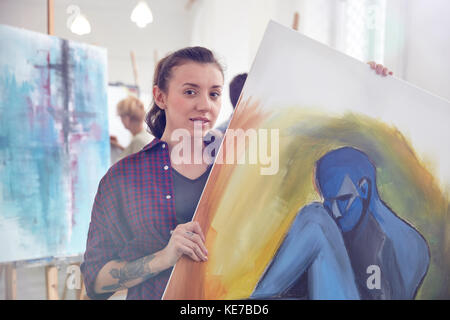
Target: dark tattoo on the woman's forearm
x: 138, y: 269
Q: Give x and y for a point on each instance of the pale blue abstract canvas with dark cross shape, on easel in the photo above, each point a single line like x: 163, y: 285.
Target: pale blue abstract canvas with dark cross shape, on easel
x: 54, y: 142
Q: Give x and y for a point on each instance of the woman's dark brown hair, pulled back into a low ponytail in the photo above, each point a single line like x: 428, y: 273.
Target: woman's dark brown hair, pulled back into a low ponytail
x: 156, y: 117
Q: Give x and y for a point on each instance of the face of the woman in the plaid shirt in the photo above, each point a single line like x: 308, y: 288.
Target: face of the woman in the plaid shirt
x: 193, y: 97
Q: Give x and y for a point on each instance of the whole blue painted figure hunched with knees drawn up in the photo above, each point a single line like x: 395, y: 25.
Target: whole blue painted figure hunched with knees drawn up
x: 336, y: 249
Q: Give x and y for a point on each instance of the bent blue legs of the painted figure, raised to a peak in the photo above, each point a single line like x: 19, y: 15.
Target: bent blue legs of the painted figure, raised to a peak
x: 312, y: 256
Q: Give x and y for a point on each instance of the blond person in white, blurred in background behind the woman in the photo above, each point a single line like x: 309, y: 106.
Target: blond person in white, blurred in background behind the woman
x: 132, y: 113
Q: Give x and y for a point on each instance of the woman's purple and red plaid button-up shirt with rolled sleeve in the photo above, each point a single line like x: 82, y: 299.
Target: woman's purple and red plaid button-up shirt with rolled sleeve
x: 132, y: 216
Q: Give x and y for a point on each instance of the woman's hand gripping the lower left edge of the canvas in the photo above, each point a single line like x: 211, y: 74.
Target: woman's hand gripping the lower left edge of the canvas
x: 186, y: 239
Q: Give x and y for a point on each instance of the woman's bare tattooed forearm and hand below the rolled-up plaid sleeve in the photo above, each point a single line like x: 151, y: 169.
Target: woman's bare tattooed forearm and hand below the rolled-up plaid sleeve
x: 186, y: 239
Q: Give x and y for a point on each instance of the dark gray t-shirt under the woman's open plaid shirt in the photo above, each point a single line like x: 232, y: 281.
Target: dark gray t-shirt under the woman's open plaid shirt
x: 187, y: 193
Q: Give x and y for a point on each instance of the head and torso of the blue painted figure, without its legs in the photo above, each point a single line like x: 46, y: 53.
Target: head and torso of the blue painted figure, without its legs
x: 373, y: 234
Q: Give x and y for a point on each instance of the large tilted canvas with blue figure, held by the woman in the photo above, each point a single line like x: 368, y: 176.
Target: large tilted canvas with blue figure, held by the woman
x: 349, y: 197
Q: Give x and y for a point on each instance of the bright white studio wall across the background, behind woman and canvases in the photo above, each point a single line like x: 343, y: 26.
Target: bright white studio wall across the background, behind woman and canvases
x: 417, y: 42
